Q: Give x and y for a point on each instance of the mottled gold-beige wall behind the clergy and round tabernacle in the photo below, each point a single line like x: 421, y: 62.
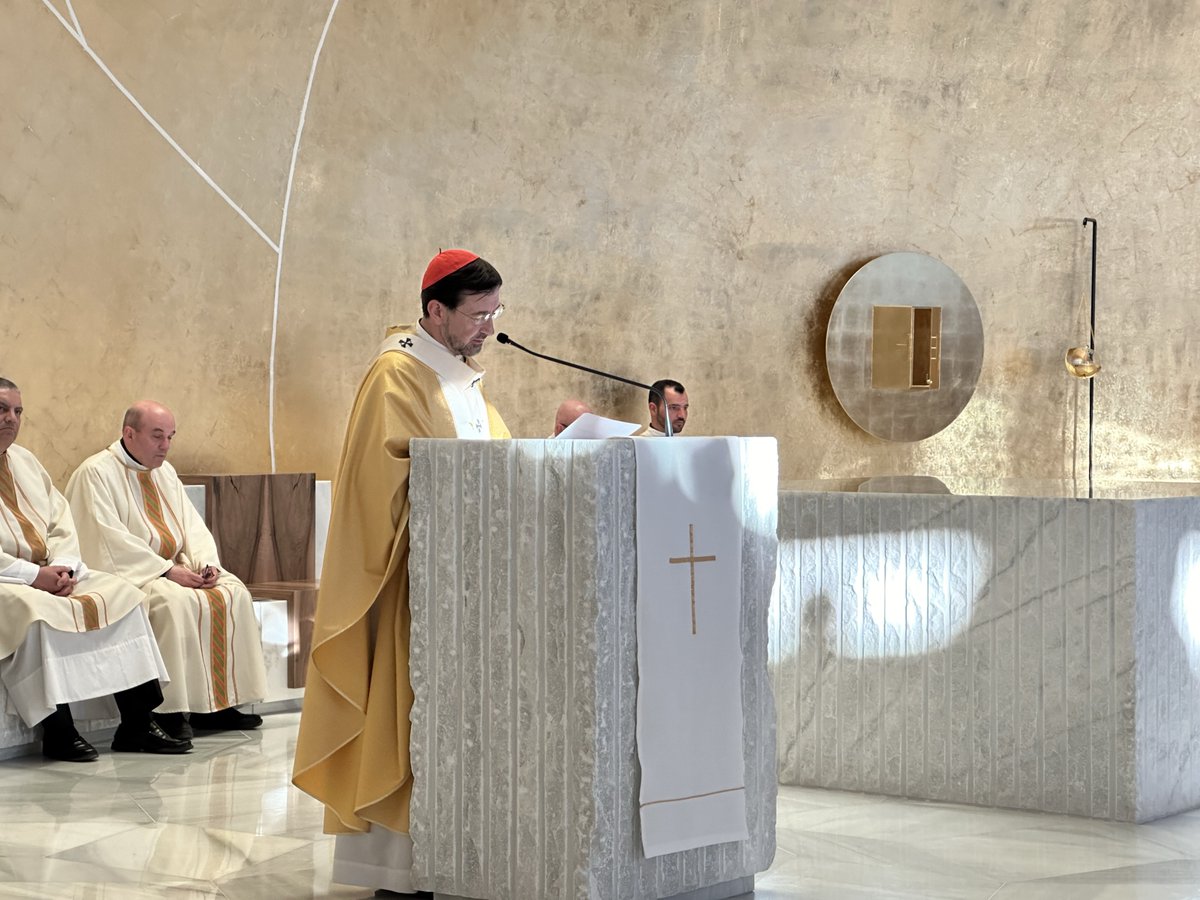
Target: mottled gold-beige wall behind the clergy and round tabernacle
x: 669, y: 189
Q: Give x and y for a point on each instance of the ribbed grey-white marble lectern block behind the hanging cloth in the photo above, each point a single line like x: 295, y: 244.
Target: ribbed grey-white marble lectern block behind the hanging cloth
x: 524, y: 665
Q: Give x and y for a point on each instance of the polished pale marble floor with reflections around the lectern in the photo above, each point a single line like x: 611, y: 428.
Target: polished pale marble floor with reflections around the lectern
x: 225, y: 823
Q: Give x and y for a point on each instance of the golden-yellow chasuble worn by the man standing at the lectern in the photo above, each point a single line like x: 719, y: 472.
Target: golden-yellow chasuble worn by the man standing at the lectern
x: 352, y: 752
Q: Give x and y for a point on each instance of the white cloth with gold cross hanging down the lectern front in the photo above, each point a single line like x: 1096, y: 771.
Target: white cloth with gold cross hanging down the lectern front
x: 689, y: 650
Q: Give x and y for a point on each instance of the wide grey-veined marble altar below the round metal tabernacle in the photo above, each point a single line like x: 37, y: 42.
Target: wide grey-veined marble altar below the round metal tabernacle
x: 1029, y: 652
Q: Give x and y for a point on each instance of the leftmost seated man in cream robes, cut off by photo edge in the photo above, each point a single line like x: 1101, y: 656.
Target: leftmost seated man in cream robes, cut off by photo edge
x: 69, y: 634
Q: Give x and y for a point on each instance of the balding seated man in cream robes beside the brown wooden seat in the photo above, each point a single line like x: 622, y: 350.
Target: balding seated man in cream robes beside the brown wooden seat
x: 135, y: 520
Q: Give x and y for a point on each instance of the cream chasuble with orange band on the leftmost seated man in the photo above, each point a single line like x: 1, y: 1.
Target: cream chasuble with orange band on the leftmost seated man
x: 37, y: 530
